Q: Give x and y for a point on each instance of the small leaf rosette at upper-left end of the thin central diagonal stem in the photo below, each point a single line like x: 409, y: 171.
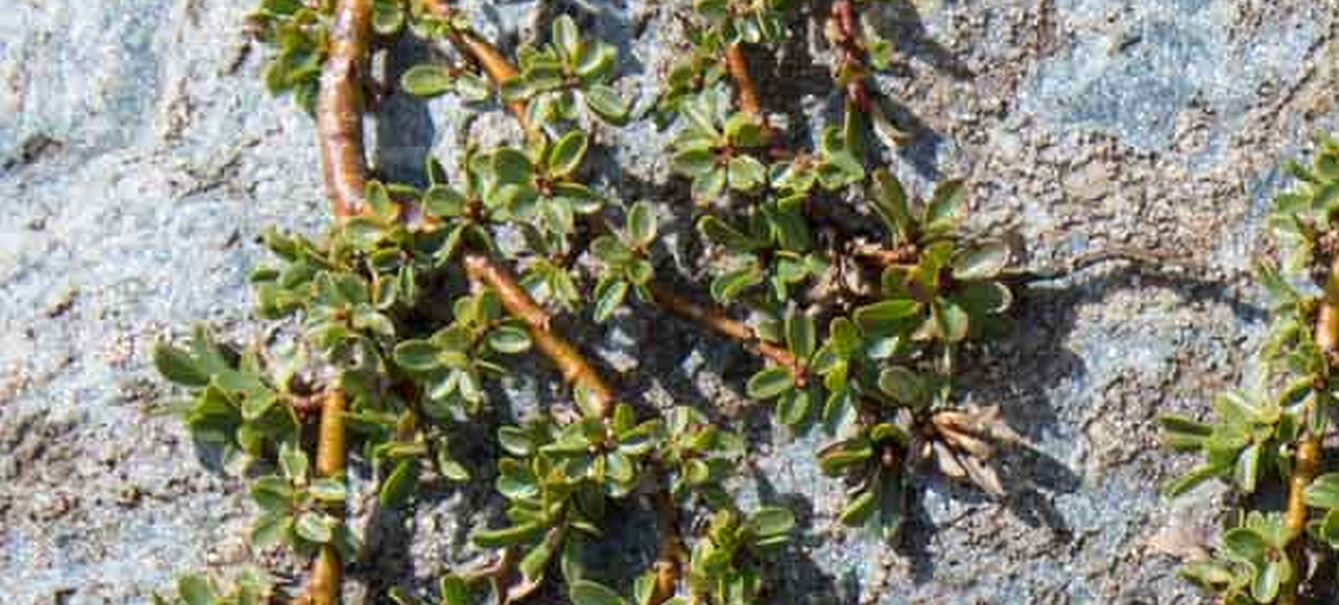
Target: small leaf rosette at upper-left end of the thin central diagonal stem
x: 626, y: 262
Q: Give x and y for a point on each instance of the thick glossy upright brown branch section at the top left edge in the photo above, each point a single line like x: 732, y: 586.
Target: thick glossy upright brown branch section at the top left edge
x: 339, y: 108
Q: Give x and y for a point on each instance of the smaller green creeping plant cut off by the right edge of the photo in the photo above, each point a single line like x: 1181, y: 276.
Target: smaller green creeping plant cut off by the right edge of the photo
x: 1270, y: 437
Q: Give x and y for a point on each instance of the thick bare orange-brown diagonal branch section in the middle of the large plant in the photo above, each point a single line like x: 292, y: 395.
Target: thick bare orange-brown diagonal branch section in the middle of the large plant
x: 571, y: 363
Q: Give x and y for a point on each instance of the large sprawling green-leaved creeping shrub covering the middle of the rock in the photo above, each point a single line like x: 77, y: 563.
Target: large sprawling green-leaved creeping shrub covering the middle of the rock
x: 420, y: 298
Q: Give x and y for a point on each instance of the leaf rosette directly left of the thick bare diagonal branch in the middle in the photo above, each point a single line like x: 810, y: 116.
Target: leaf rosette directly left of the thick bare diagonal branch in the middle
x: 453, y: 363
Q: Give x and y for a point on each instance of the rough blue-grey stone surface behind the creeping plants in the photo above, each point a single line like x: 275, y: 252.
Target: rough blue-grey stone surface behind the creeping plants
x: 140, y: 159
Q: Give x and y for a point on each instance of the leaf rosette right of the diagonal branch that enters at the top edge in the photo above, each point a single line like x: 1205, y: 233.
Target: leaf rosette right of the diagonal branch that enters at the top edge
x: 566, y: 74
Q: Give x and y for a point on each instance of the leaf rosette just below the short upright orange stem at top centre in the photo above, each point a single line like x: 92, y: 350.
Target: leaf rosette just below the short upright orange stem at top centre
x: 714, y: 148
